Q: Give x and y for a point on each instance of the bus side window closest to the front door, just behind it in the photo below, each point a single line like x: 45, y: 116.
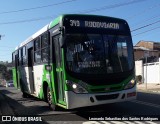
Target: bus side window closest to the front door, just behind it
x: 45, y: 47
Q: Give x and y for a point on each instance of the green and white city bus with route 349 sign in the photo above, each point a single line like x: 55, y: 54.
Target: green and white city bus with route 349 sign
x: 77, y: 61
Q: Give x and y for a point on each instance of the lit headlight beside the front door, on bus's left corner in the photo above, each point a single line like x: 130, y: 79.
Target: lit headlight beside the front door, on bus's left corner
x: 76, y: 87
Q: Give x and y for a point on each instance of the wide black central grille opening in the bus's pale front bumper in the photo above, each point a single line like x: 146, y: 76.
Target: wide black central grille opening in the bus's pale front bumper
x: 106, y: 97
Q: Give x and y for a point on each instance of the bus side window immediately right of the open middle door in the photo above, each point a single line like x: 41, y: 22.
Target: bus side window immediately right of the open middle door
x: 37, y: 51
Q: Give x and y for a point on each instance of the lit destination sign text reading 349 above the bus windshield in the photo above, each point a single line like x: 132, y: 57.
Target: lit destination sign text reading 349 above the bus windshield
x: 94, y: 24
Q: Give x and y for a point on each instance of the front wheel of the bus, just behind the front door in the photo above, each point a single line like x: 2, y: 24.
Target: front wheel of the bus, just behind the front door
x: 49, y: 100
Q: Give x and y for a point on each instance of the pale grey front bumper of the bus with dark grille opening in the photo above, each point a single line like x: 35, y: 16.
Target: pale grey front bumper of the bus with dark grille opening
x: 82, y: 100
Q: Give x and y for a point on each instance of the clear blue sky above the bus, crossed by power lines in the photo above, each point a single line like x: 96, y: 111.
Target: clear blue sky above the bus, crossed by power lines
x: 20, y: 19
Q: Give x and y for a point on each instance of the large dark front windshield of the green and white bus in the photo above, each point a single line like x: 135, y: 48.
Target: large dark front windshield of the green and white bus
x: 98, y: 53
